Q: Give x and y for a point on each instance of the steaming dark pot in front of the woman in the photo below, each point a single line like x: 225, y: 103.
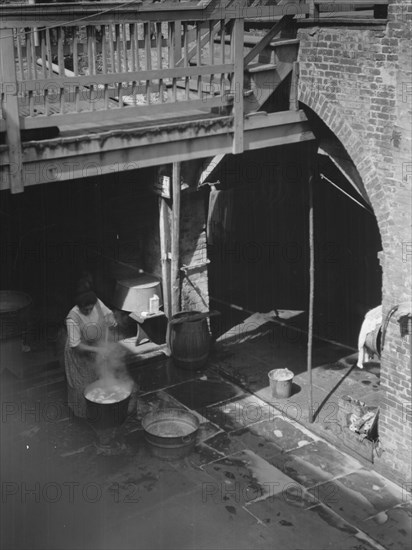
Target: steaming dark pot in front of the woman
x: 105, y: 415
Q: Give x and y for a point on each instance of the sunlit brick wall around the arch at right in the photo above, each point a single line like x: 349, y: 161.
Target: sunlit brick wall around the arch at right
x: 359, y: 81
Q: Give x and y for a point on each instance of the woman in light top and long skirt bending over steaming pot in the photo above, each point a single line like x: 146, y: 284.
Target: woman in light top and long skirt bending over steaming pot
x: 87, y: 333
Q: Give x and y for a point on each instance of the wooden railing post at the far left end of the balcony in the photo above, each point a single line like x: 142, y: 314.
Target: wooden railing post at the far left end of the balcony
x: 8, y: 78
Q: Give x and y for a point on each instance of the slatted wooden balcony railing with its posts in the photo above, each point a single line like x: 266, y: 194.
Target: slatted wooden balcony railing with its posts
x: 100, y: 64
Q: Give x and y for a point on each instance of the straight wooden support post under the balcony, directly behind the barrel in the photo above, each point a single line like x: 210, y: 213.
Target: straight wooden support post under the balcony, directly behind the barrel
x: 175, y: 271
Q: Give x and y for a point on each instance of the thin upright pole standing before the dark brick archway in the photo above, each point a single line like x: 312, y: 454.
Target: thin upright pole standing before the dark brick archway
x: 311, y: 297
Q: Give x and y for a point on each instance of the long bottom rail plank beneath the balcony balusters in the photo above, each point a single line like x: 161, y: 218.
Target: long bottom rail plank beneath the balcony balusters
x: 124, y: 114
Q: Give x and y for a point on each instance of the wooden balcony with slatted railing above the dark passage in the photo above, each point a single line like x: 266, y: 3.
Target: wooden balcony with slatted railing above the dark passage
x: 92, y: 88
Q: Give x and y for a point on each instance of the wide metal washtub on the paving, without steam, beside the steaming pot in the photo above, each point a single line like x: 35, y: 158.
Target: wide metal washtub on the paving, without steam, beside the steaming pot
x: 171, y: 432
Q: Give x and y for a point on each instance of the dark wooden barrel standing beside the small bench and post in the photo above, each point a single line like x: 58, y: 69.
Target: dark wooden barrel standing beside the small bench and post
x: 189, y: 340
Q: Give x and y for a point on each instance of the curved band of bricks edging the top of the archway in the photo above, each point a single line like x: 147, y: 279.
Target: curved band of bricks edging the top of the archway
x: 330, y: 115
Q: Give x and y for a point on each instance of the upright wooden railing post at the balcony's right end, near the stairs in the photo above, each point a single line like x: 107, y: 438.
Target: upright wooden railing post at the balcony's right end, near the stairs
x: 238, y: 82
